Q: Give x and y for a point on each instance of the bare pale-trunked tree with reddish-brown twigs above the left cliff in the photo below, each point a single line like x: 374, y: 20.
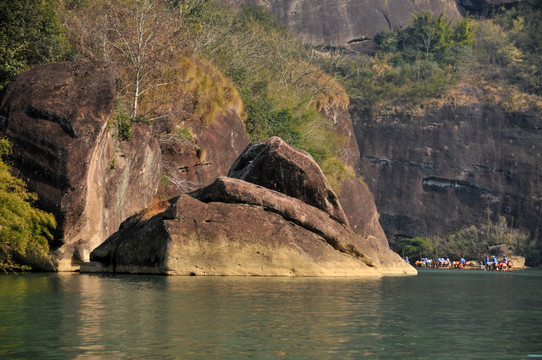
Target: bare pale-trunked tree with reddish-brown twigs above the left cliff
x: 141, y: 37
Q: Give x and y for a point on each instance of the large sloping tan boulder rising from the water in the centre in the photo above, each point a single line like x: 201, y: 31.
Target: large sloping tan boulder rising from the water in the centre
x: 234, y: 227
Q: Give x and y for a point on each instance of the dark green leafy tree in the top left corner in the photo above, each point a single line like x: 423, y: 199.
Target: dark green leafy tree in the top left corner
x: 30, y: 34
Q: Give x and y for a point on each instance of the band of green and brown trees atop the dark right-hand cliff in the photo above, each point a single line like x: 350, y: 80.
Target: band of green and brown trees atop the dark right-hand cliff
x: 428, y: 62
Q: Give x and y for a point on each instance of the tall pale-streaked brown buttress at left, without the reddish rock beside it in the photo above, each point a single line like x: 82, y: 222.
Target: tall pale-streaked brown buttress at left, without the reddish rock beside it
x: 57, y: 118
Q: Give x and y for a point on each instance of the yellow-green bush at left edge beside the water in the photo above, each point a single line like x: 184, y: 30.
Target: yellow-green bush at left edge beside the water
x: 23, y: 228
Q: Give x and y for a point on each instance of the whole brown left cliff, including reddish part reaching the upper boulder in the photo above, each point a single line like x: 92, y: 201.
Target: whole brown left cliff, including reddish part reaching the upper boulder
x: 58, y: 118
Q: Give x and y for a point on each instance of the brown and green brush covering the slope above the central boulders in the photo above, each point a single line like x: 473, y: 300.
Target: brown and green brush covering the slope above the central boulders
x: 194, y: 60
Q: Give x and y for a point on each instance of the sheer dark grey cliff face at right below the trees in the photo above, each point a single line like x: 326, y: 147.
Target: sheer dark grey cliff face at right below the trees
x: 454, y: 167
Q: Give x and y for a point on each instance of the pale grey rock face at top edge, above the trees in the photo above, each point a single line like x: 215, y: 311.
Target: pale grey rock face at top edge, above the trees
x: 347, y: 23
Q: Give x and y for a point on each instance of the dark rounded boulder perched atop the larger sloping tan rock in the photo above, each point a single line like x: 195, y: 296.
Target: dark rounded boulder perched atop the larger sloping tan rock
x: 277, y: 166
